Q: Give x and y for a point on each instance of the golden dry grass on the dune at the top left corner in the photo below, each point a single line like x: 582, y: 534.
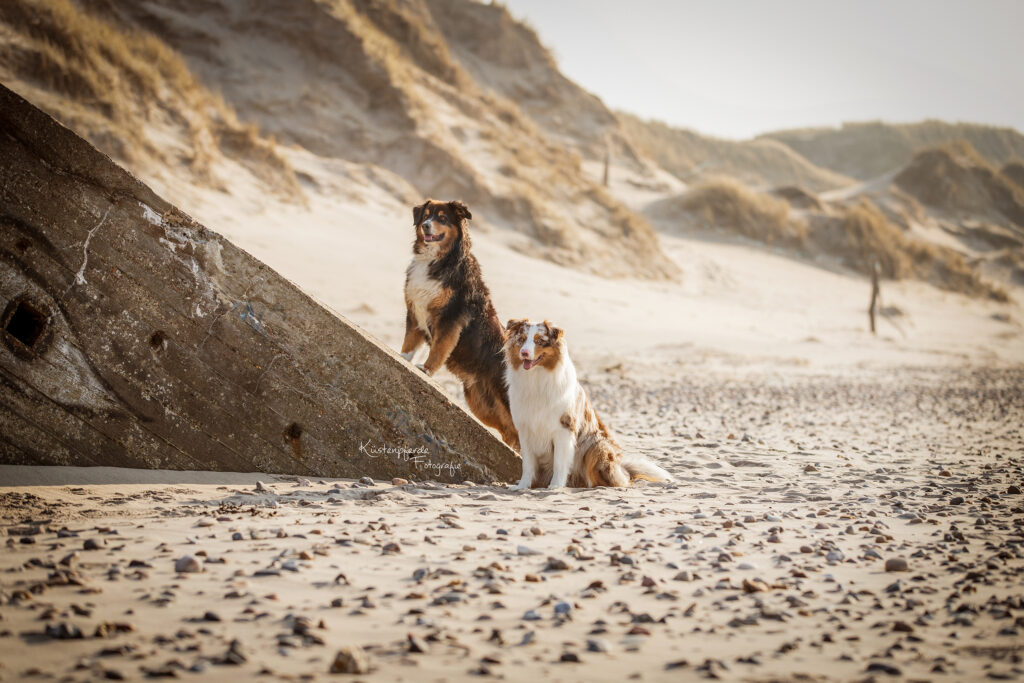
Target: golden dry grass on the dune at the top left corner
x: 117, y: 84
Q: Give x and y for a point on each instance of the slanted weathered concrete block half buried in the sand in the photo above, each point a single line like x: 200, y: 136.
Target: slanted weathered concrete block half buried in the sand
x: 133, y: 336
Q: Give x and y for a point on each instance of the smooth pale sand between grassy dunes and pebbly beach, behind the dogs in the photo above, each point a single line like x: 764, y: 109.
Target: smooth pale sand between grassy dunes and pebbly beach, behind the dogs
x: 351, y: 247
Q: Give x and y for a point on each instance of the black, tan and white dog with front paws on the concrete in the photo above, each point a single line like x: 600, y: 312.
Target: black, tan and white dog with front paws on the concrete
x: 449, y: 307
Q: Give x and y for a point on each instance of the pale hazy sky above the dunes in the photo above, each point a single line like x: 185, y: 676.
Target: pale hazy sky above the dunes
x: 737, y: 69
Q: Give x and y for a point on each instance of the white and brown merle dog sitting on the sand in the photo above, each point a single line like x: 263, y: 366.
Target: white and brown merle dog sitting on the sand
x: 562, y: 439
